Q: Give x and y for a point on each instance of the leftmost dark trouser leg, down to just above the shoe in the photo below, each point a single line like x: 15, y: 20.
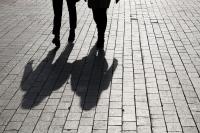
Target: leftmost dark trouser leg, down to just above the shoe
x: 57, y: 8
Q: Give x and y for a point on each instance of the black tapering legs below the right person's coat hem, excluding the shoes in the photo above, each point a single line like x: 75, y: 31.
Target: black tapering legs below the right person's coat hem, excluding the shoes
x: 100, y: 17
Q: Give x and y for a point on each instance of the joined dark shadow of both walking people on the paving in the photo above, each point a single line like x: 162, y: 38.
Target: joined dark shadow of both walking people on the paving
x: 88, y: 77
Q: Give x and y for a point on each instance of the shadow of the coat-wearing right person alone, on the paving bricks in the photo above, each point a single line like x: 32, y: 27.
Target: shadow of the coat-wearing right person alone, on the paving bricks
x: 94, y: 77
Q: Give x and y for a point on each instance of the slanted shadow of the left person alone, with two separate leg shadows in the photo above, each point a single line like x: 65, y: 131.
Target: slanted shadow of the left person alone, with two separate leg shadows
x: 38, y: 84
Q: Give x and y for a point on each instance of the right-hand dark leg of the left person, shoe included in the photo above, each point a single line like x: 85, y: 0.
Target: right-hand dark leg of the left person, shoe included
x: 72, y: 19
